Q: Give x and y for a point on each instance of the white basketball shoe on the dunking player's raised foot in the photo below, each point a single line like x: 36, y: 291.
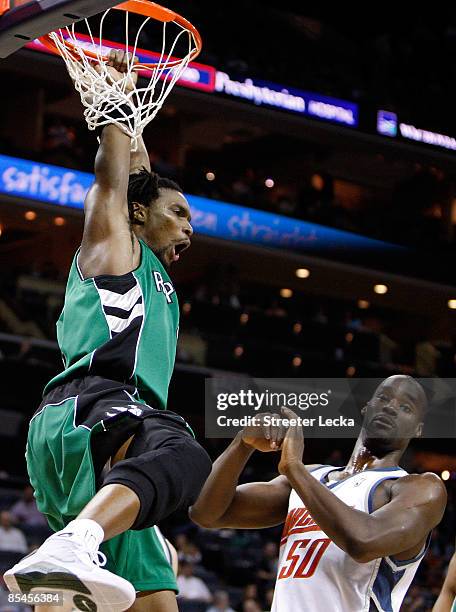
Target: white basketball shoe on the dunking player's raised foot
x: 71, y: 563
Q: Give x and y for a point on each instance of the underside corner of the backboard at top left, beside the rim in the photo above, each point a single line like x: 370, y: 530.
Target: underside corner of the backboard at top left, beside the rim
x: 24, y: 20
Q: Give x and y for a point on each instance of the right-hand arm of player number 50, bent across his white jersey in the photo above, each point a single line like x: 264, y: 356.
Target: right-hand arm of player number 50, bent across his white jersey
x: 417, y: 505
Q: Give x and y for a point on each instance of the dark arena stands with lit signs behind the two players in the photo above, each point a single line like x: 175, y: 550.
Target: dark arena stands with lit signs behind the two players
x: 318, y: 154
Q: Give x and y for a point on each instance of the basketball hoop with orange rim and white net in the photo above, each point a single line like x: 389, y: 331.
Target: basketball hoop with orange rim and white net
x: 99, y: 94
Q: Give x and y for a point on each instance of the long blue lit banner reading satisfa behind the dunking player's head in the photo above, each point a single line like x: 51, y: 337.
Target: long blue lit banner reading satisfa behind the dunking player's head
x: 64, y: 187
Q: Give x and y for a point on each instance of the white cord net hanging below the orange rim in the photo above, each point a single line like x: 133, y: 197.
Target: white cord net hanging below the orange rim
x: 100, y: 95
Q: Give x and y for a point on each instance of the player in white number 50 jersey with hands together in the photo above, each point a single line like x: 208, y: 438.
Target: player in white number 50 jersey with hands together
x: 353, y: 536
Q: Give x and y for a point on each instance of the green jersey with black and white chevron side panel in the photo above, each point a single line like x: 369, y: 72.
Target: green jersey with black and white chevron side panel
x: 123, y: 328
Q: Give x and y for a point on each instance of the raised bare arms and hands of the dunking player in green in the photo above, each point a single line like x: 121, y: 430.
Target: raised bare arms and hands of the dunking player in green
x: 108, y: 245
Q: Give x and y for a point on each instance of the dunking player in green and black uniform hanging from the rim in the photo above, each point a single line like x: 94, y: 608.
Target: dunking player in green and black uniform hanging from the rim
x: 106, y: 460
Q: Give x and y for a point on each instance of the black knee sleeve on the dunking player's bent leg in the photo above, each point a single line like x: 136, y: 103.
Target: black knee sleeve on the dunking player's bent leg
x: 166, y: 479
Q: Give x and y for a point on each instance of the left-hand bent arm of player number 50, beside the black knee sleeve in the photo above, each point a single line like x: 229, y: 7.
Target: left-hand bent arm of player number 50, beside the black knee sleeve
x: 224, y: 503
